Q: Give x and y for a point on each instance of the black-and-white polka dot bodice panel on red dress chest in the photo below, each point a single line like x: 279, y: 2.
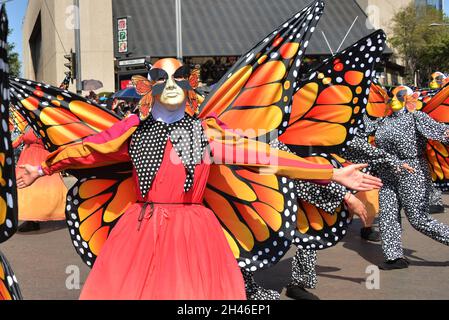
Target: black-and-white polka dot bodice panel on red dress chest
x: 149, y: 144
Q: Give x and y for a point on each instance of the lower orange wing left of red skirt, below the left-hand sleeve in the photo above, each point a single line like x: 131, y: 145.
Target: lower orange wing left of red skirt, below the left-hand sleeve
x: 95, y: 204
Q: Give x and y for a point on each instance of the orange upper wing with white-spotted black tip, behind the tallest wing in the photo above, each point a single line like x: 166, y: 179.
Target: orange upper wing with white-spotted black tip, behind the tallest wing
x: 329, y: 103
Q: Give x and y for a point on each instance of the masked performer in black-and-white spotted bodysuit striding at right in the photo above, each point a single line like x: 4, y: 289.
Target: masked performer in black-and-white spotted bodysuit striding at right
x: 404, y: 134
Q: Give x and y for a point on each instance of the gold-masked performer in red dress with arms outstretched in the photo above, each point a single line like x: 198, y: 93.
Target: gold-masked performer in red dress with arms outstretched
x: 168, y: 246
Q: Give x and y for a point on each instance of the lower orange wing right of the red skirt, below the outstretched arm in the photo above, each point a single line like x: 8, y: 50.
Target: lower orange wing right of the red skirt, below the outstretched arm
x: 257, y: 213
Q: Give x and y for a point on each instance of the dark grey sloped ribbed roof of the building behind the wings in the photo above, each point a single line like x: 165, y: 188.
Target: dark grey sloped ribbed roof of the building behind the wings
x: 231, y: 27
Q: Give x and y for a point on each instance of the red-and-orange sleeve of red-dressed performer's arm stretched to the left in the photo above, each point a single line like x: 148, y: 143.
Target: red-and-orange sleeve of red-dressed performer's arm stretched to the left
x: 102, y: 149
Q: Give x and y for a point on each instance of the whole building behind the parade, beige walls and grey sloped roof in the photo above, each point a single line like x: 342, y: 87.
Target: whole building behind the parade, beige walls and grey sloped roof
x: 117, y: 36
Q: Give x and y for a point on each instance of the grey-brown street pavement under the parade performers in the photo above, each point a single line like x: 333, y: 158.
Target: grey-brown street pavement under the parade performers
x: 46, y: 265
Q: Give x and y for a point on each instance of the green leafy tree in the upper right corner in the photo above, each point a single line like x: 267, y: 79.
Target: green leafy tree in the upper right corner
x: 424, y: 48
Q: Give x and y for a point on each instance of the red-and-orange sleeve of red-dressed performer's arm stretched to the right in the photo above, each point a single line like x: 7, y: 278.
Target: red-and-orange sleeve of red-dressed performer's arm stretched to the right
x: 230, y: 148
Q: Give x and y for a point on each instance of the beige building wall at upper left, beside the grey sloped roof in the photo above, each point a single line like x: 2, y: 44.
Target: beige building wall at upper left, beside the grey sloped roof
x: 48, y: 35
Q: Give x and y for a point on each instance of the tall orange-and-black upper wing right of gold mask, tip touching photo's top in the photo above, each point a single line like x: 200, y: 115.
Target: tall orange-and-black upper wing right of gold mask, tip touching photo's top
x: 256, y: 94
